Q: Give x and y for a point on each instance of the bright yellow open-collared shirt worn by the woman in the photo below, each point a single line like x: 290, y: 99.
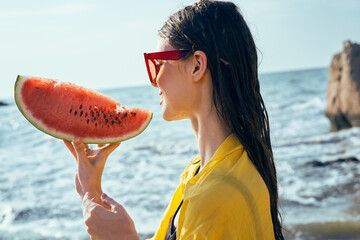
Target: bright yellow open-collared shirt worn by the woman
x: 227, y: 199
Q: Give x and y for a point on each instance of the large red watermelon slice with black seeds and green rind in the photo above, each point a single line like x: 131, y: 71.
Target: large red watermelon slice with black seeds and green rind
x: 65, y: 111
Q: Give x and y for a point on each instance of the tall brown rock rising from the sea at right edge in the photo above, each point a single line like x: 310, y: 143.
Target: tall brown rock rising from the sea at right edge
x: 343, y: 96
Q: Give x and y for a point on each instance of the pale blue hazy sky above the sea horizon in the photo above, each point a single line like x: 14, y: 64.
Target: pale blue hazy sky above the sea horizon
x: 100, y: 44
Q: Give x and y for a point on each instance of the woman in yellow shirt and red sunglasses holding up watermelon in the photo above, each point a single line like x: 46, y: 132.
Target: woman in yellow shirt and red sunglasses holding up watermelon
x: 206, y: 71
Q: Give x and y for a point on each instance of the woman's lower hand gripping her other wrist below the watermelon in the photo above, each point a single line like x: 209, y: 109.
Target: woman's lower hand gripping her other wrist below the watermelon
x: 113, y: 224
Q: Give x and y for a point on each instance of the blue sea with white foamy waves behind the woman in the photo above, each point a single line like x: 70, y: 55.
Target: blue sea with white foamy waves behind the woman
x: 318, y: 170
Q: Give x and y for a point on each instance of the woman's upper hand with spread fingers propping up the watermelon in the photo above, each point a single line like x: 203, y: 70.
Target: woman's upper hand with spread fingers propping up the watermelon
x: 89, y: 165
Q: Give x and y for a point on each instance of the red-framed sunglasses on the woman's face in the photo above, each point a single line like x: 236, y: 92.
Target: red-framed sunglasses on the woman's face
x: 153, y: 65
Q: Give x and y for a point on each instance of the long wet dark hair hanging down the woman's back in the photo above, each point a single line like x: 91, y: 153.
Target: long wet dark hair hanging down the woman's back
x: 219, y: 30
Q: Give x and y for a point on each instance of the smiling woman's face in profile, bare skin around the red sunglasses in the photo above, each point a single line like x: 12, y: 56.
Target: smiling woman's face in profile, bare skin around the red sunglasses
x: 176, y: 89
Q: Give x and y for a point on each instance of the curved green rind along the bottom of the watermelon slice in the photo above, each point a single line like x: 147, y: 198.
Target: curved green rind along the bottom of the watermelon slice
x: 20, y: 79
